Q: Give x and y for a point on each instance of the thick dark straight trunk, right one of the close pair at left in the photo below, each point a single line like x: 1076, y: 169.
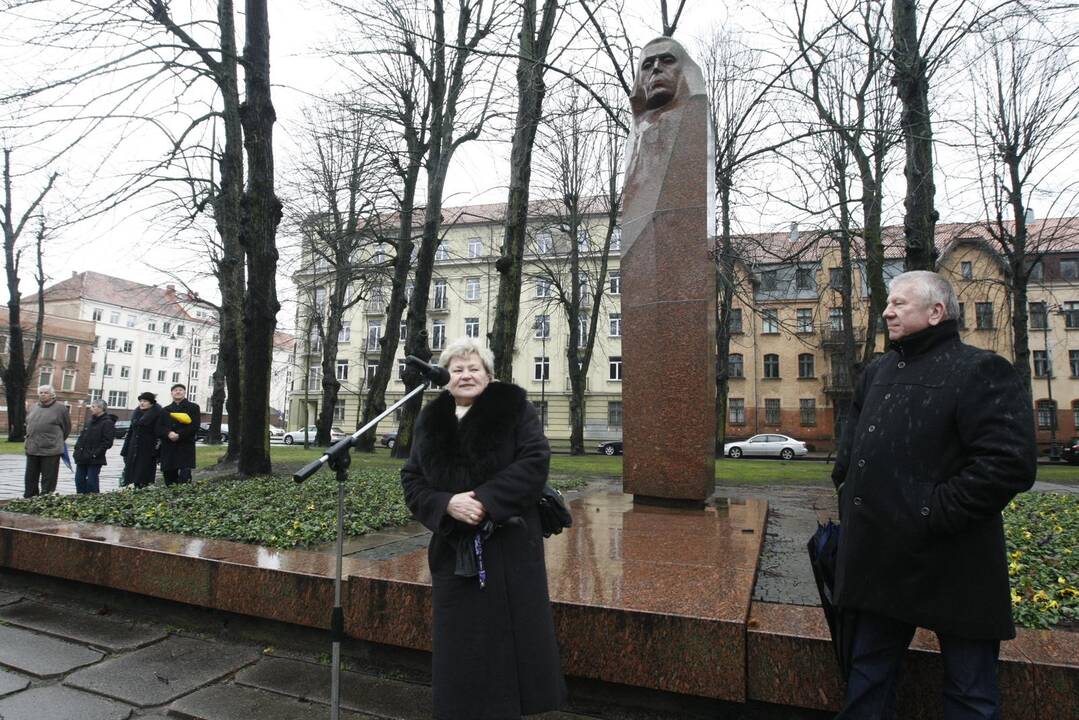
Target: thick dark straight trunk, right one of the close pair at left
x: 262, y: 213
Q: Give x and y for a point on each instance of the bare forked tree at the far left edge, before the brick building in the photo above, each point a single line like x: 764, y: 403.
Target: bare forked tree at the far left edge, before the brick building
x: 17, y: 372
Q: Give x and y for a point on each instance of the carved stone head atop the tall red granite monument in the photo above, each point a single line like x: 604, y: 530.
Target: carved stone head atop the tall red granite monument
x: 665, y: 77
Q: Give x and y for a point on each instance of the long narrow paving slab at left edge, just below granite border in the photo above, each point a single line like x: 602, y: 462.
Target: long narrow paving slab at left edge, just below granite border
x: 101, y: 632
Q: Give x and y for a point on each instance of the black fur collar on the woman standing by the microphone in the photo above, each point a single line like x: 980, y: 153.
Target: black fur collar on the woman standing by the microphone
x: 463, y: 455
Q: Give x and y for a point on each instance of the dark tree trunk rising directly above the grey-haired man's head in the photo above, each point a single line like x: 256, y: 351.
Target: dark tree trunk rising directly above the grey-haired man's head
x: 912, y: 84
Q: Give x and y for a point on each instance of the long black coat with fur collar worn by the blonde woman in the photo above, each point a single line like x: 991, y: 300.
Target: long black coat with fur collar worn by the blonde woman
x: 496, y: 656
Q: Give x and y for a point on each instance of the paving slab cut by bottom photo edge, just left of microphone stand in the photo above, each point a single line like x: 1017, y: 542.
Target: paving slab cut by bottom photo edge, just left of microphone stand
x: 240, y: 703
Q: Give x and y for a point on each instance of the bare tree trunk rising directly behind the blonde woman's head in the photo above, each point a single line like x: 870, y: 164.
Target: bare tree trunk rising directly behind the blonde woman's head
x: 535, y: 42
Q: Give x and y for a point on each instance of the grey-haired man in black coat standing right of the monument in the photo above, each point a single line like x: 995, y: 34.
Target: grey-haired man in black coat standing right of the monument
x: 940, y: 439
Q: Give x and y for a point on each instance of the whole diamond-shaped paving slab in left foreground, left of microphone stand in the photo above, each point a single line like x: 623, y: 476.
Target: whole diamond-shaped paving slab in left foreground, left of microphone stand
x: 163, y: 672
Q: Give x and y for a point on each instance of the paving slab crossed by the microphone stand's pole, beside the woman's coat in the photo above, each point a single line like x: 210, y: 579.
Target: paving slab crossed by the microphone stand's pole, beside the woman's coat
x: 365, y: 694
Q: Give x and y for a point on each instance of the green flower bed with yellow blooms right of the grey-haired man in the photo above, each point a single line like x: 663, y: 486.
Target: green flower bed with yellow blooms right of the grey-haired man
x: 1043, y: 534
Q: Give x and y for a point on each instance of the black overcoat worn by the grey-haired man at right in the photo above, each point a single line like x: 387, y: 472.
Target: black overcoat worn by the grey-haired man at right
x: 939, y: 441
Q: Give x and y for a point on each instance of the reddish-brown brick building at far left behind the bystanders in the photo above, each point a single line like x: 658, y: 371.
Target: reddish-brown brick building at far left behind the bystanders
x: 64, y: 361
